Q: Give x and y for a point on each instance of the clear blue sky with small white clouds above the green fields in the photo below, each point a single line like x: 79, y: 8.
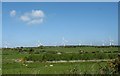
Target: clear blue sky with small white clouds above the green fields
x: 58, y: 23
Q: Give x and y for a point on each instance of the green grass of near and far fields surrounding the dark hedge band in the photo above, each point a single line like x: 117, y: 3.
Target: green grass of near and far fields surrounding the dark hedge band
x: 11, y: 67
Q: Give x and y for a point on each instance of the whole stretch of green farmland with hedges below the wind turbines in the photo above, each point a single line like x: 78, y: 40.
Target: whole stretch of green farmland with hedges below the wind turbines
x: 57, y: 59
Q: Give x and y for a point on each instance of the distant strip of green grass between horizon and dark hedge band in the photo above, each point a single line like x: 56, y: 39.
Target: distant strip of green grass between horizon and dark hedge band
x: 76, y: 49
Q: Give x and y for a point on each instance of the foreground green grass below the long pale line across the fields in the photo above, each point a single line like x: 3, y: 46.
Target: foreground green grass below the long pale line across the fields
x: 57, y: 68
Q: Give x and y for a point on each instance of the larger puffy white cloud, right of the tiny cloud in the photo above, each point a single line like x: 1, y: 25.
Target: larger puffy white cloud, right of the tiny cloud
x: 33, y: 17
